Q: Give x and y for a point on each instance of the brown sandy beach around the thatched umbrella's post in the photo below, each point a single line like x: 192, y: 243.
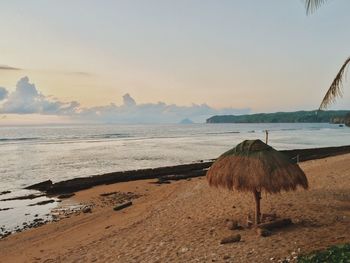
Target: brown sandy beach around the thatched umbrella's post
x: 185, y: 220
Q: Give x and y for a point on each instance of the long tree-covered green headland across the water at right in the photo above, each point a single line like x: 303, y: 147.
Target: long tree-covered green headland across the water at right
x: 283, y: 117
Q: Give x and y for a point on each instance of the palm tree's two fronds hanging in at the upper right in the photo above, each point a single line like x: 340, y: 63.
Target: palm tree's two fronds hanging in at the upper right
x: 335, y: 90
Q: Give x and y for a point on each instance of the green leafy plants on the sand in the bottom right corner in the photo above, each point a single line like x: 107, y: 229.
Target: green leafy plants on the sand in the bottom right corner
x: 336, y: 254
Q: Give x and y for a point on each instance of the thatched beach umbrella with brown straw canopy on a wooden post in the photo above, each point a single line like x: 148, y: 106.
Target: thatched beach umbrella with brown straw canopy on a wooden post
x: 255, y: 167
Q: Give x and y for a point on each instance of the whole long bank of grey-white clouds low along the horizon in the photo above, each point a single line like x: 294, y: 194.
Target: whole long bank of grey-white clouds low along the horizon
x: 26, y: 99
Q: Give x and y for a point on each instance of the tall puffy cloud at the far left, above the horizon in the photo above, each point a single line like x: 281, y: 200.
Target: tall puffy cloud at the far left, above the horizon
x: 26, y: 99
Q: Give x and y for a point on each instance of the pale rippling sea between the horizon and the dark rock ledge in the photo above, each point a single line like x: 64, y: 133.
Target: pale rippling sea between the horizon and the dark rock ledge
x: 31, y: 154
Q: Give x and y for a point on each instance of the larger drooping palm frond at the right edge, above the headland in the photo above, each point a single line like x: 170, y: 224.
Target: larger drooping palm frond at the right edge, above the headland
x: 335, y: 90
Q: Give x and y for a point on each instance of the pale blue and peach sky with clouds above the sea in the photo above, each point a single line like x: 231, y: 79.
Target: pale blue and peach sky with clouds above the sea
x: 162, y: 61
